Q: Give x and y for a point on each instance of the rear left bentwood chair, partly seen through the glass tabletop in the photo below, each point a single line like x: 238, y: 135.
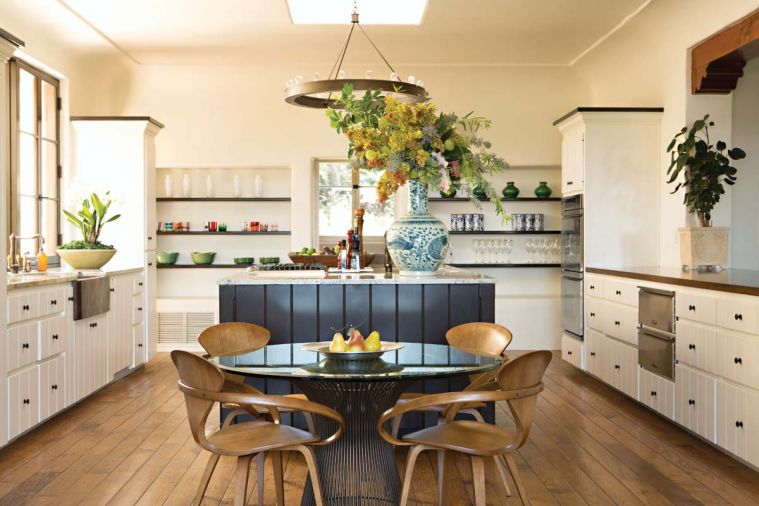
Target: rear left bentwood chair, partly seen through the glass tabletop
x: 238, y: 338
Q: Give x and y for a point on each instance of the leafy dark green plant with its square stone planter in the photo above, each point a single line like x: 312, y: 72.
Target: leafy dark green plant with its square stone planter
x: 705, y: 168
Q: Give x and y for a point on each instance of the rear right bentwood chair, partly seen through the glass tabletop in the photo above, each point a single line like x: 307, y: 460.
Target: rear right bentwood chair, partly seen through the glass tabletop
x: 476, y: 337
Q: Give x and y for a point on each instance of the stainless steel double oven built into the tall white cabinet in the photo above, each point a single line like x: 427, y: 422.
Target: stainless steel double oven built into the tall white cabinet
x: 572, y: 266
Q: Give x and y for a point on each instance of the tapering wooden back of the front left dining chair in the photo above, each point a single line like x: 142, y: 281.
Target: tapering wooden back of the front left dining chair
x: 198, y: 373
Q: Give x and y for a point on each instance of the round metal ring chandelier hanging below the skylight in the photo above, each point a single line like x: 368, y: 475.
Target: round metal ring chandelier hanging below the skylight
x: 319, y: 93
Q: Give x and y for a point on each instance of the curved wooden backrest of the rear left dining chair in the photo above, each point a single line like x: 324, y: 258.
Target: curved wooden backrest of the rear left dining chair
x: 233, y: 338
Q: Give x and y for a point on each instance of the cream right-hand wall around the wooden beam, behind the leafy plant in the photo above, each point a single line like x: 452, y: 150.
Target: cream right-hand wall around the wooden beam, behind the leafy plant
x: 646, y: 63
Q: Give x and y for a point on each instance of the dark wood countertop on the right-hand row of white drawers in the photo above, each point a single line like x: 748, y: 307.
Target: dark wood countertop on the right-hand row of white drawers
x: 741, y: 281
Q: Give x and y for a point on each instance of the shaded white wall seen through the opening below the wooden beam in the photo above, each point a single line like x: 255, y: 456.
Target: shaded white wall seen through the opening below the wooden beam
x: 745, y: 205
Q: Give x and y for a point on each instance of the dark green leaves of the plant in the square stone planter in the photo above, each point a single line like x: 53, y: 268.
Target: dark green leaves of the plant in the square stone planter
x: 704, y: 168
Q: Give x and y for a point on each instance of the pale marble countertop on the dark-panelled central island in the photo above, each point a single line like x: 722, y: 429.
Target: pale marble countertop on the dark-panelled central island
x: 445, y: 276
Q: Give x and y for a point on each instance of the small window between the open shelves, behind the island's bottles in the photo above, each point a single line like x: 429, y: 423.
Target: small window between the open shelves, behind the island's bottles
x: 341, y: 191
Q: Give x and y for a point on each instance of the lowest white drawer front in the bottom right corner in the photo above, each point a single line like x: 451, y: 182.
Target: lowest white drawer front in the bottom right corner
x: 738, y: 421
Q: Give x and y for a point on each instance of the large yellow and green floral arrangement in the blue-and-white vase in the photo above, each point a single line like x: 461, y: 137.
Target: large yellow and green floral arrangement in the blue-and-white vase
x: 415, y: 141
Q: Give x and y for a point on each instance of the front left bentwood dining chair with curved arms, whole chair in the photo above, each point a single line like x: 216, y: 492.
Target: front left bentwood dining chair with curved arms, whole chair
x: 202, y: 383
